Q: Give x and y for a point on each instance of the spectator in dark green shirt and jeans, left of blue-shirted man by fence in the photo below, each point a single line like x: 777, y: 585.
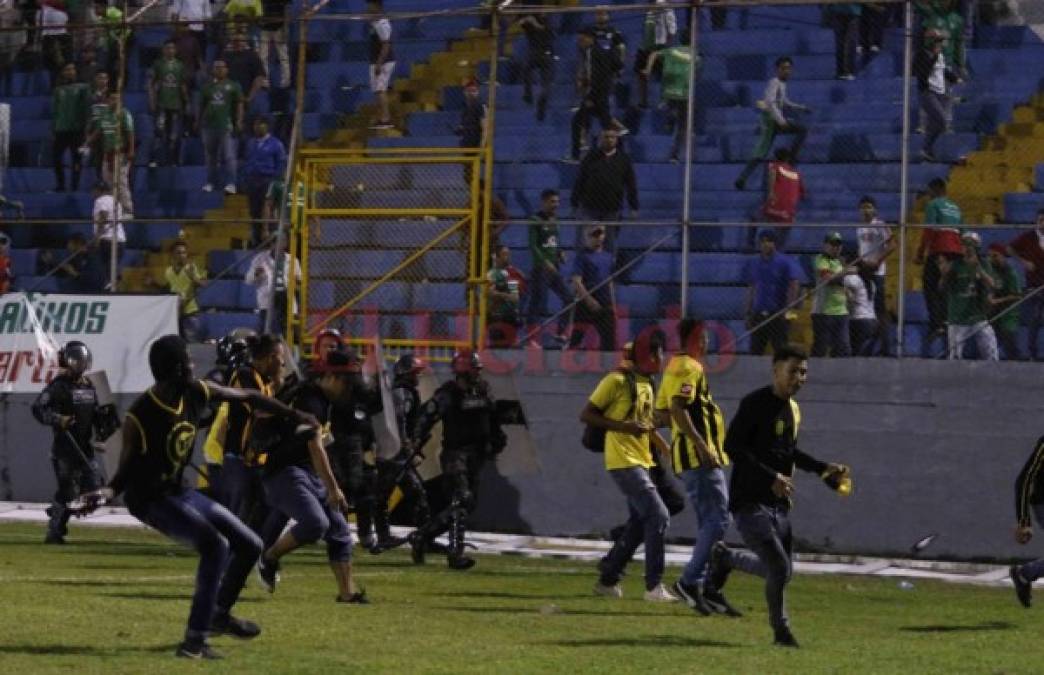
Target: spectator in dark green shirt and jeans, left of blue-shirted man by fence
x: 547, y: 262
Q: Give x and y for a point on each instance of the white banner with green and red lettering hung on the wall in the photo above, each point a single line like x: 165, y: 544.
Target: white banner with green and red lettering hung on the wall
x: 117, y: 329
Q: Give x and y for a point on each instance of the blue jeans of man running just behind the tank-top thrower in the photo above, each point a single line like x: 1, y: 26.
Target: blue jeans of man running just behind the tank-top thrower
x: 299, y: 494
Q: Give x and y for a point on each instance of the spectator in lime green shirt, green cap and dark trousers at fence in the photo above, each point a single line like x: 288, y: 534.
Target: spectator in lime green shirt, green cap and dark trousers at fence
x: 831, y: 319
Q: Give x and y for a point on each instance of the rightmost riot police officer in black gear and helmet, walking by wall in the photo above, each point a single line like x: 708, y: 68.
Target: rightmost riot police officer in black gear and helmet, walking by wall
x: 471, y: 433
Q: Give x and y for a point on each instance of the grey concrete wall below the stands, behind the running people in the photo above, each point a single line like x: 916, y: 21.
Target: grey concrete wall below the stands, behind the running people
x: 935, y: 447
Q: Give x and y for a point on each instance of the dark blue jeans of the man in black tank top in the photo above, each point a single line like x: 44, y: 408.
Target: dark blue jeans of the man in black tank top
x: 213, y: 533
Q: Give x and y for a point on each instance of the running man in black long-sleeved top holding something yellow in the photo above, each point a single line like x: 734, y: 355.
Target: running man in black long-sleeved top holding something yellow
x: 763, y: 443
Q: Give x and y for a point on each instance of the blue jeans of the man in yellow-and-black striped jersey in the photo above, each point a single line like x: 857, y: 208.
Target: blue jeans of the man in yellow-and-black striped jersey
x: 708, y: 491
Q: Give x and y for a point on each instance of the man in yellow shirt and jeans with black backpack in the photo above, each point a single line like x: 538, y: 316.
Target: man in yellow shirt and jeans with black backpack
x: 623, y: 405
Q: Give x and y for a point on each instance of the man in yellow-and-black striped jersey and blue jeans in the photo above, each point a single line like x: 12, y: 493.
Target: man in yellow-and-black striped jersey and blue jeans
x: 698, y: 455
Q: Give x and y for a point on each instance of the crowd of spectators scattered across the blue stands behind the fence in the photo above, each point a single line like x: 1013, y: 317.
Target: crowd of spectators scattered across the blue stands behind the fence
x: 210, y: 79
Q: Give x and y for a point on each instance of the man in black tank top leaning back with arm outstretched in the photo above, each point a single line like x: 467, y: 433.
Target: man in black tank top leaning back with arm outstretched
x: 159, y: 436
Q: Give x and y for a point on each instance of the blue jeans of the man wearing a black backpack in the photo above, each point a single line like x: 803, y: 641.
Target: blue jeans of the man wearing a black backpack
x: 647, y: 524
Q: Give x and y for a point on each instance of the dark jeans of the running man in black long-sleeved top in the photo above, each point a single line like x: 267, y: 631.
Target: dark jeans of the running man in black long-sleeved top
x: 767, y: 533
